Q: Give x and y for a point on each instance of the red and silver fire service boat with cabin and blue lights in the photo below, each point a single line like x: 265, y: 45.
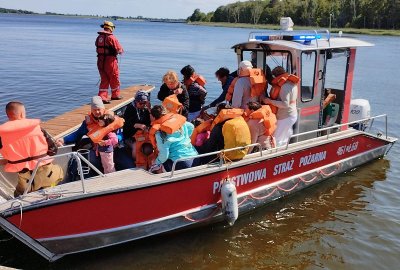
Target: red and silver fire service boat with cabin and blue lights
x: 134, y: 204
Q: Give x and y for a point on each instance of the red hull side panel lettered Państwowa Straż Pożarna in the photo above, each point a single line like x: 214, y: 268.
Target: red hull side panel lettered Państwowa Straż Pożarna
x: 130, y: 207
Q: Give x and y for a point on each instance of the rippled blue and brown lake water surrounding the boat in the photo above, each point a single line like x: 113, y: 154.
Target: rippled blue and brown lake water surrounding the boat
x: 348, y: 222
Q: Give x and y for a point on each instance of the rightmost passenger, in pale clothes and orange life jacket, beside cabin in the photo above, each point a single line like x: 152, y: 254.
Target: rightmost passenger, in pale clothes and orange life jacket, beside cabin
x: 283, y: 98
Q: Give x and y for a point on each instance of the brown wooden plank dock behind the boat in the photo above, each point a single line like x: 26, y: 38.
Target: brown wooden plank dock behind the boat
x: 66, y: 123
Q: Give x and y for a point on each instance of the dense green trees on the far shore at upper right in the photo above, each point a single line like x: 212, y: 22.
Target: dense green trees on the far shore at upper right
x: 375, y: 14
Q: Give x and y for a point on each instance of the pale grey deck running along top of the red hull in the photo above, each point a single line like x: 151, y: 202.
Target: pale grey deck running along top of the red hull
x: 139, y: 178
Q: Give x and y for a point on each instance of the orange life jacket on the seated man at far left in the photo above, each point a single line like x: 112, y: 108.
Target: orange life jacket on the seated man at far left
x: 23, y: 144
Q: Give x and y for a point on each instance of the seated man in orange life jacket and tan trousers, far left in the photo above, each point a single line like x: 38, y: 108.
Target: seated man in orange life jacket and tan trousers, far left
x: 22, y: 144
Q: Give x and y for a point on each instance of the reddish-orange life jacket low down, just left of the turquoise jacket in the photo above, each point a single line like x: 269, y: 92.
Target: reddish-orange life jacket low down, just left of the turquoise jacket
x: 144, y: 160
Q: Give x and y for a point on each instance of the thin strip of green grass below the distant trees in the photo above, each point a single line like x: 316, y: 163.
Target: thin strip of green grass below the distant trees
x: 383, y: 32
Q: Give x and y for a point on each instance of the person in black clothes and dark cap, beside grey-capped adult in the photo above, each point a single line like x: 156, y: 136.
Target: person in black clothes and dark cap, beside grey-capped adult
x: 137, y: 117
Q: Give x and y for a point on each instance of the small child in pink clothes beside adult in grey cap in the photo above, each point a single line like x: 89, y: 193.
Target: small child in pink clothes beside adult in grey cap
x: 105, y: 147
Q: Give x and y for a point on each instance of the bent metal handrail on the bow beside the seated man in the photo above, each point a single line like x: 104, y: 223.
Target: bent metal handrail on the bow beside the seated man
x: 77, y: 156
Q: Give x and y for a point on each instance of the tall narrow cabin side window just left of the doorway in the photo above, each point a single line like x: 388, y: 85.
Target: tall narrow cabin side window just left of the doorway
x: 308, y: 64
